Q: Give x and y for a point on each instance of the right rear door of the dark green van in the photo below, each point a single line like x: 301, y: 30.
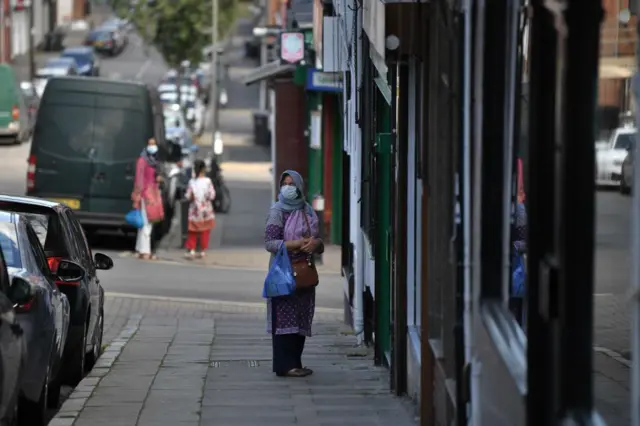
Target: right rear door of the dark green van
x: 120, y: 135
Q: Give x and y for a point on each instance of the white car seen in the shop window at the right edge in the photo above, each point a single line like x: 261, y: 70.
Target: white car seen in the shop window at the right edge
x: 609, y: 159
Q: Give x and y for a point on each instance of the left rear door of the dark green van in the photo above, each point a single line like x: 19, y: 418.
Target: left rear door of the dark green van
x: 62, y: 147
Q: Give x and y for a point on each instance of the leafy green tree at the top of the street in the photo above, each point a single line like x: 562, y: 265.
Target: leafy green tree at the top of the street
x: 180, y: 29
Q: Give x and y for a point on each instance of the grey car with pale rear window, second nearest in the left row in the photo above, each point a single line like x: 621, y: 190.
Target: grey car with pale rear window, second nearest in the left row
x: 44, y: 317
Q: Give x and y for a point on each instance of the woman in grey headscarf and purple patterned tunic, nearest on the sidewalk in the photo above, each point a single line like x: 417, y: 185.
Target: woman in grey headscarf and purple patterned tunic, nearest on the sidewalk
x: 289, y: 318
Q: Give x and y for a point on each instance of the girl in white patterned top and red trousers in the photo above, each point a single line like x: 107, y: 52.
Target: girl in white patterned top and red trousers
x: 201, y: 216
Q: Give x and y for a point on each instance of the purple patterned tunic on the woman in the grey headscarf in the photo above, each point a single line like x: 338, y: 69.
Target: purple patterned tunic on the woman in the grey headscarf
x: 294, y: 314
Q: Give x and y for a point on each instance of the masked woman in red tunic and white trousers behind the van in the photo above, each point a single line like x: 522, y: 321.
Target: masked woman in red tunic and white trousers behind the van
x: 146, y: 197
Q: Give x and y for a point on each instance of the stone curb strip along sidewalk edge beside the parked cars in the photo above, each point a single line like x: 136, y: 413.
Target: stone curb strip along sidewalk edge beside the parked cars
x: 72, y: 407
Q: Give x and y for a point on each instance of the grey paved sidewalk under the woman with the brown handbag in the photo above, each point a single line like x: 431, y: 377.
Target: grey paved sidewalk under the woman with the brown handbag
x: 190, y: 371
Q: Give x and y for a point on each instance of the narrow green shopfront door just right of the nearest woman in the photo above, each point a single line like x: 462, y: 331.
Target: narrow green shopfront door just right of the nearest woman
x: 383, y: 227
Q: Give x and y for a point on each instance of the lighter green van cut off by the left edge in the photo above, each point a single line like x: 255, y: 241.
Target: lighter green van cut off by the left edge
x: 14, y: 117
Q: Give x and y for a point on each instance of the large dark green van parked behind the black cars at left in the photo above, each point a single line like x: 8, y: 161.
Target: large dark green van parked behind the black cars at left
x: 89, y: 134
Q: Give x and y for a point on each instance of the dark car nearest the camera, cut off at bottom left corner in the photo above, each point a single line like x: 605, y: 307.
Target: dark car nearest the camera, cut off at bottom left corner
x: 13, y: 351
